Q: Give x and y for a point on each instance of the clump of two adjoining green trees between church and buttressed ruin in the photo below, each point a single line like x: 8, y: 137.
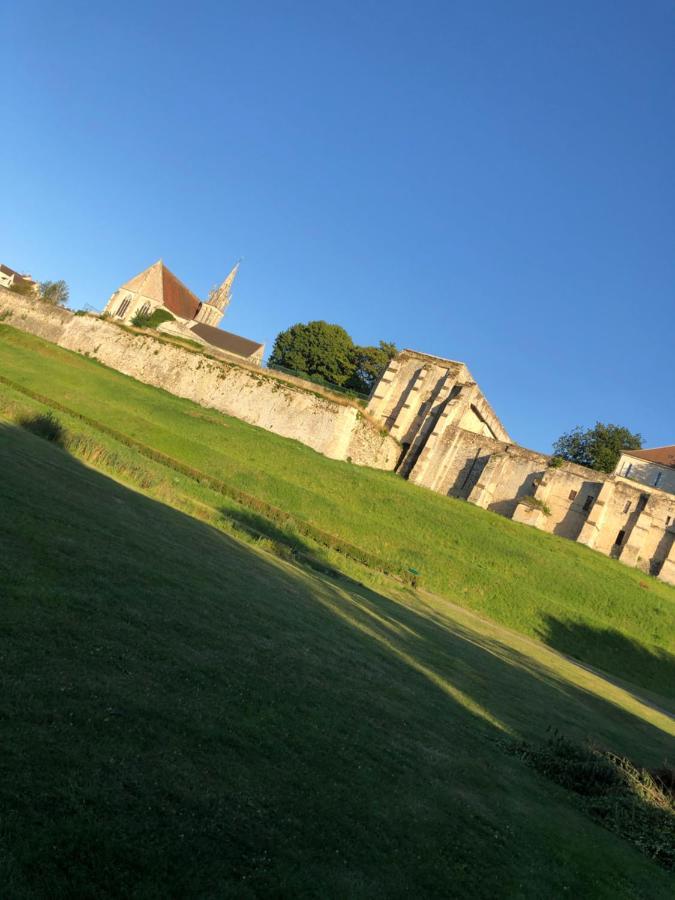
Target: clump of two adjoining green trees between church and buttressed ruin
x: 327, y: 350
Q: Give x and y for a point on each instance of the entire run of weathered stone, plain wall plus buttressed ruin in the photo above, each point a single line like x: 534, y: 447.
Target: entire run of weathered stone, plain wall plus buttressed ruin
x: 448, y: 438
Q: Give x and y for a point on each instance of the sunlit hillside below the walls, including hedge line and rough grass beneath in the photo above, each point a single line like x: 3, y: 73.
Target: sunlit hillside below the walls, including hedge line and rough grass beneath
x: 573, y: 599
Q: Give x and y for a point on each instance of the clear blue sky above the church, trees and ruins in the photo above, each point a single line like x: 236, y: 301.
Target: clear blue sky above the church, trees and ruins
x: 487, y: 180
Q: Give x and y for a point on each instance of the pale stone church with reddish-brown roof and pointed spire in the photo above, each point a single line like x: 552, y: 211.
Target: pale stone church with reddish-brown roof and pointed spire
x: 158, y: 288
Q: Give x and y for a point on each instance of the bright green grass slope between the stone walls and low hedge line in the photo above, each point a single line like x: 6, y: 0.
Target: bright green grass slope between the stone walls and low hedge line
x: 574, y: 599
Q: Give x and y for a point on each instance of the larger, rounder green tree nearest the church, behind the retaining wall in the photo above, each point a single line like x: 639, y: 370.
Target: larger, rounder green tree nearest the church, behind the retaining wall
x: 317, y: 348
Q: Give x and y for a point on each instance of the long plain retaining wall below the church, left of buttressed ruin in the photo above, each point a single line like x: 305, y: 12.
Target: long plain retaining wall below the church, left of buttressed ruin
x: 334, y: 427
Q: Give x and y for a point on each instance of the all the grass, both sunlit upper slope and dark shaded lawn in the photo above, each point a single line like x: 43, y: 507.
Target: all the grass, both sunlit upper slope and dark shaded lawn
x: 184, y: 714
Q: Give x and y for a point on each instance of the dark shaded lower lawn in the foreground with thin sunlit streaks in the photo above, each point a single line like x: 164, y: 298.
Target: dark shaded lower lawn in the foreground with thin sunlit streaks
x: 182, y: 715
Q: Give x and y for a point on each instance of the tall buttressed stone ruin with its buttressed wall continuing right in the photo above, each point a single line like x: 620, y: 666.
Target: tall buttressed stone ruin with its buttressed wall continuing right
x: 455, y: 445
